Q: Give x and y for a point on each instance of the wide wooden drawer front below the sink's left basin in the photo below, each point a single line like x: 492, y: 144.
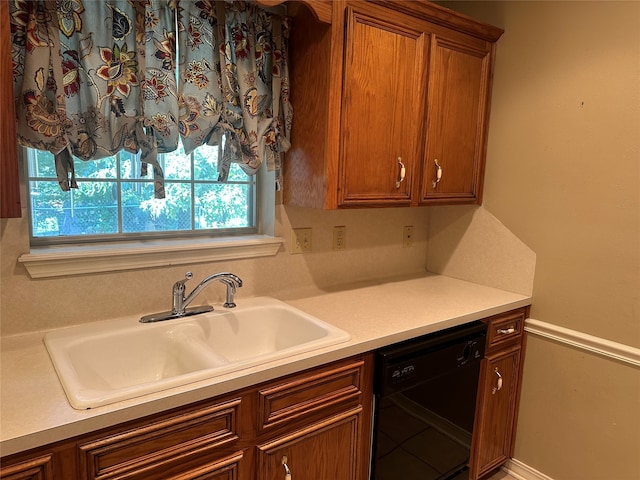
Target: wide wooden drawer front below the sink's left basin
x: 152, y: 451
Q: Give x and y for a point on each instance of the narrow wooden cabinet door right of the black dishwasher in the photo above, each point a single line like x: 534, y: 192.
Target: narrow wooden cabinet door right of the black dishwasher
x: 497, y: 397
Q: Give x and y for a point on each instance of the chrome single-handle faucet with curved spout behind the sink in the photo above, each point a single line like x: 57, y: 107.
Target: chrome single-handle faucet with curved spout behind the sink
x: 181, y: 302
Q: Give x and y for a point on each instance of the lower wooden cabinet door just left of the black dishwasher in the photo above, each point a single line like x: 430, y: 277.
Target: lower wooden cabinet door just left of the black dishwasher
x: 325, y: 450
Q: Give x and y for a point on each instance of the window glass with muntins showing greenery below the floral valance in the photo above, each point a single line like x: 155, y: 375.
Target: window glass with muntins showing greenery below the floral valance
x: 113, y: 202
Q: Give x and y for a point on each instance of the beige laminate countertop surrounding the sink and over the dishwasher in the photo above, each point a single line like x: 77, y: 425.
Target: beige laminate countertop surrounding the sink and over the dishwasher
x: 34, y: 410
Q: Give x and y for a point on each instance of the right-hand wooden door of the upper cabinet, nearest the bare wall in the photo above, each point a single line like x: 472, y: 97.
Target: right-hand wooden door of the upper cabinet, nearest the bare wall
x: 457, y: 115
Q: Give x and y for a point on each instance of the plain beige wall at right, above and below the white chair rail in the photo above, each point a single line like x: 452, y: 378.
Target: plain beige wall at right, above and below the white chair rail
x: 563, y: 173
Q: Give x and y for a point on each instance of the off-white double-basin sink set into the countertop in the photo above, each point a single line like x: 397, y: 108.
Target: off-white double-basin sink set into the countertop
x: 110, y: 361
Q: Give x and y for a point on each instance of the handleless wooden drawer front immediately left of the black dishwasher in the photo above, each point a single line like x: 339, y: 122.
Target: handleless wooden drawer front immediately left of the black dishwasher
x: 324, y: 393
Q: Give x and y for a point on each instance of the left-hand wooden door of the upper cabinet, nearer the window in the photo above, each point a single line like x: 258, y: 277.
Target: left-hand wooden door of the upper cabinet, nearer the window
x: 383, y: 102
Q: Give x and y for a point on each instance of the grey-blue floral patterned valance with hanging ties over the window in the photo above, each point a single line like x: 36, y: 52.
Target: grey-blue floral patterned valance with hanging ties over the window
x: 95, y: 77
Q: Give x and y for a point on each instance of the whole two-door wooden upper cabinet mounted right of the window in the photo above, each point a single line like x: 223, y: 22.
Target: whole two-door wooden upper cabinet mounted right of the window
x: 389, y: 84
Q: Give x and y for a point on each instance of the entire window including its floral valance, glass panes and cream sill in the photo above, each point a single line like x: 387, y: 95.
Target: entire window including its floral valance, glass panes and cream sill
x: 200, y: 220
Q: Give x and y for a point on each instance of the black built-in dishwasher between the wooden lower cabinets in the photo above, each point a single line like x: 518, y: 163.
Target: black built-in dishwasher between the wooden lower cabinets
x: 425, y: 396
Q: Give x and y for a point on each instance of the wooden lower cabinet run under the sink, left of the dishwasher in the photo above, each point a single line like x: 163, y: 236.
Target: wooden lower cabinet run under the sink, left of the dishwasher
x: 319, y: 419
